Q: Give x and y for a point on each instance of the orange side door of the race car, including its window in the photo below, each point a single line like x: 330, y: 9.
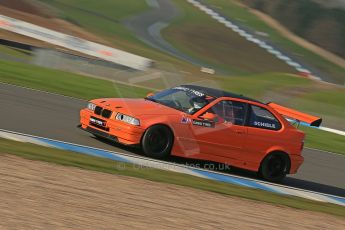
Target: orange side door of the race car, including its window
x: 226, y: 135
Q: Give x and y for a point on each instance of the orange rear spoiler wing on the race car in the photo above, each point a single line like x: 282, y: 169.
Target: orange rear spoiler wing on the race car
x: 296, y: 115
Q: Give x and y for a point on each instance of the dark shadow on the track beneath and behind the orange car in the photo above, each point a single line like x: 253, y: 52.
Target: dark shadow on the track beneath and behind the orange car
x: 218, y: 167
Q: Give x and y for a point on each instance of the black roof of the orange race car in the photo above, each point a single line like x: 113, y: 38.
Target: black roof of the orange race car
x: 219, y: 93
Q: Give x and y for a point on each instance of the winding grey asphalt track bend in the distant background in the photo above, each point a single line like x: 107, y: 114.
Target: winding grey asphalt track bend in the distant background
x: 148, y: 25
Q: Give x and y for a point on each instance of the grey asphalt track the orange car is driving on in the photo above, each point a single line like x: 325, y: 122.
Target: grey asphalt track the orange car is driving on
x: 56, y: 117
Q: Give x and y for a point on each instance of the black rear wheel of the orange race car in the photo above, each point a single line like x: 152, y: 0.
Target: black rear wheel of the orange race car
x: 274, y: 167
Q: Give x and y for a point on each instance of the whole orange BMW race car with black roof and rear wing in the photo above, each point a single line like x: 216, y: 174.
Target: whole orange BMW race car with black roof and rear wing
x: 203, y: 123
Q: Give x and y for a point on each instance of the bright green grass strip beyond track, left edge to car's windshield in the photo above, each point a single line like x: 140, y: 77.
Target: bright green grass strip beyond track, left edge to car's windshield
x: 64, y: 83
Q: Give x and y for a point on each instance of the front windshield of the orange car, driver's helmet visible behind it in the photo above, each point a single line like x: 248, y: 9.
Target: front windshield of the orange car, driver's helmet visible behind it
x: 182, y: 98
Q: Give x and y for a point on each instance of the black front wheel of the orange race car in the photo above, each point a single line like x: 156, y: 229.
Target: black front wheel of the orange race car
x: 157, y: 141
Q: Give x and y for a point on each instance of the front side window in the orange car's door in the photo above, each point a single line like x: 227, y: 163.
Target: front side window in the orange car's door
x: 229, y: 112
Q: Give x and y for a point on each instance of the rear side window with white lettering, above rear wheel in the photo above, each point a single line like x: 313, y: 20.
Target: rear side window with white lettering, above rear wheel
x: 262, y: 118
